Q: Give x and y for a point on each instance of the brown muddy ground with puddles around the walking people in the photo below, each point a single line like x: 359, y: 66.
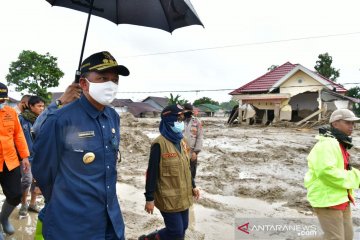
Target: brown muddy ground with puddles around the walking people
x: 244, y: 171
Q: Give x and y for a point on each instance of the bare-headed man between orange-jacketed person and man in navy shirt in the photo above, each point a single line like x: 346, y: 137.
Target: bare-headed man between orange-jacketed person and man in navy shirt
x: 27, y: 118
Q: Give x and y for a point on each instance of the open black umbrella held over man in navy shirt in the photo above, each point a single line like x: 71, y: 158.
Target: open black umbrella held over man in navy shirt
x: 167, y: 15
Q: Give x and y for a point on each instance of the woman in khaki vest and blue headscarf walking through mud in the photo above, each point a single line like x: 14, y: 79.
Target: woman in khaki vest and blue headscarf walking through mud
x: 169, y: 185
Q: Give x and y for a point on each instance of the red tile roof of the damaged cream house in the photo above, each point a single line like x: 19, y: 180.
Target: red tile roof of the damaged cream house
x: 264, y: 83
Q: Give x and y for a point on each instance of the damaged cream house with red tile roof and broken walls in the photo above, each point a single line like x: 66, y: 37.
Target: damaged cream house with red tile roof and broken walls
x: 289, y: 92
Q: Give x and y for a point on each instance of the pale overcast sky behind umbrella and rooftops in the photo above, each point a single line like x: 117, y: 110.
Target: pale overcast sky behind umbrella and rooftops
x: 241, y: 39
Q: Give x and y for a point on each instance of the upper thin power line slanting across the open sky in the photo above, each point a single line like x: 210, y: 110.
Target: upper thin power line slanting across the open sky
x: 245, y: 44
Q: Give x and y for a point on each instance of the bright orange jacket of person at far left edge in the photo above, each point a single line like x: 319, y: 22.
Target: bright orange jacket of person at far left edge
x: 11, y: 139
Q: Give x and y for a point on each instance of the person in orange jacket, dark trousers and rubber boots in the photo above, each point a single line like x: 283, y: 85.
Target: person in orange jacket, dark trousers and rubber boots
x: 12, y: 147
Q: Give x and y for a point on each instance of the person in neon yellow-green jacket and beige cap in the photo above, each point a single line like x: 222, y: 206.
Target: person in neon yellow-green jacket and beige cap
x: 330, y: 179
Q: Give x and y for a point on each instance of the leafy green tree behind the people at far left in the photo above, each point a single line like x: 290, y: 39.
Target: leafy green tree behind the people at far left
x: 35, y: 73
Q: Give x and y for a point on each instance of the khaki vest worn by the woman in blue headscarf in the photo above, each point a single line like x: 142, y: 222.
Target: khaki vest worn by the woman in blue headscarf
x: 174, y: 187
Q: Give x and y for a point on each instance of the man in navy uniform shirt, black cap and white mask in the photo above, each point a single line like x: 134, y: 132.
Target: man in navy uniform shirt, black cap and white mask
x: 75, y: 158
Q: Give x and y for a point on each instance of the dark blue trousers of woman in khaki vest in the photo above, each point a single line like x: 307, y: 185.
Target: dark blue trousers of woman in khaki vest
x: 175, y: 225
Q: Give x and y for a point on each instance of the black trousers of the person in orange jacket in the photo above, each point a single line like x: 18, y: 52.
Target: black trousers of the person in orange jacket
x: 11, y: 185
